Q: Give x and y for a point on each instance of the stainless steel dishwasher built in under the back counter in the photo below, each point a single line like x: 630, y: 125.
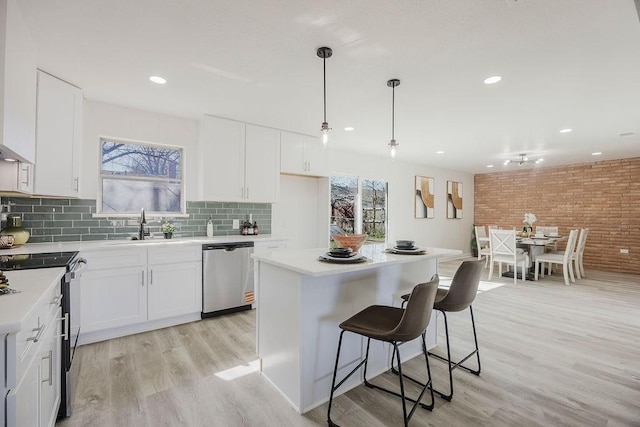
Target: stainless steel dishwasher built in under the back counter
x: 227, y: 278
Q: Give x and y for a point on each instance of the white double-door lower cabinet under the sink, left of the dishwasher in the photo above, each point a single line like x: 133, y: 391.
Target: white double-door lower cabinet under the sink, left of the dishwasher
x: 127, y: 293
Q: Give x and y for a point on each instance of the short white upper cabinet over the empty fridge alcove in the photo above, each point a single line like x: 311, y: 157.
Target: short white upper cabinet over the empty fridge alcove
x: 302, y: 155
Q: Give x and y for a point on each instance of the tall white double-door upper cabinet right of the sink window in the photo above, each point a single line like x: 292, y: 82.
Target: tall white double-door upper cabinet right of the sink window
x: 238, y: 162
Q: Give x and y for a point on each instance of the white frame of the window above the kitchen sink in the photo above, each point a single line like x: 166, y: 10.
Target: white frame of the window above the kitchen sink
x: 149, y: 214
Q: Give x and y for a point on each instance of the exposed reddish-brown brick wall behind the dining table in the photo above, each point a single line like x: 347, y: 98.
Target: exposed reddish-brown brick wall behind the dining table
x: 602, y: 196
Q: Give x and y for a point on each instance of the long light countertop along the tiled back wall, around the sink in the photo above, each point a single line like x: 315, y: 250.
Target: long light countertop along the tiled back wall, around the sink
x: 30, y: 248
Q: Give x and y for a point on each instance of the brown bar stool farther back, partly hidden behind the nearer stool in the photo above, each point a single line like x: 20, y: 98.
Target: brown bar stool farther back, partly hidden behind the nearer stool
x: 459, y: 296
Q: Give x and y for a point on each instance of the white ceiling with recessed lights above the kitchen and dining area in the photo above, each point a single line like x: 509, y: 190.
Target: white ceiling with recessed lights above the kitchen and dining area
x: 564, y: 64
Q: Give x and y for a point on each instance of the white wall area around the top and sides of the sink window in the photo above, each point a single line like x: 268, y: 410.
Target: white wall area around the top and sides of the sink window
x: 102, y: 119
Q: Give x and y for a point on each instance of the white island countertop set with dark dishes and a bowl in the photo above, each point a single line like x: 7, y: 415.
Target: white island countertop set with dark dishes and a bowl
x: 305, y: 261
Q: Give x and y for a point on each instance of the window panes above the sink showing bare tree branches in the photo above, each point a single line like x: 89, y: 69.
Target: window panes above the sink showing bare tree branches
x: 135, y: 176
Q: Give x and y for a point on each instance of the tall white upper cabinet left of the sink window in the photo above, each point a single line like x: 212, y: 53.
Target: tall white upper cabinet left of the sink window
x: 58, y: 137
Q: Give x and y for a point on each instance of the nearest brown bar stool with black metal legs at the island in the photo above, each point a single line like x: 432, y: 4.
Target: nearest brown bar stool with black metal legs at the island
x: 395, y: 326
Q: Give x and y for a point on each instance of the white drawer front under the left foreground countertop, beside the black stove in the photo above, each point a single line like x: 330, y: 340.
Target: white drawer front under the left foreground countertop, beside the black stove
x: 23, y: 346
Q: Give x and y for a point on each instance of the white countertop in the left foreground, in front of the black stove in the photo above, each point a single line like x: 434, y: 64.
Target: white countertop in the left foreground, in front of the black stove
x: 33, y: 286
